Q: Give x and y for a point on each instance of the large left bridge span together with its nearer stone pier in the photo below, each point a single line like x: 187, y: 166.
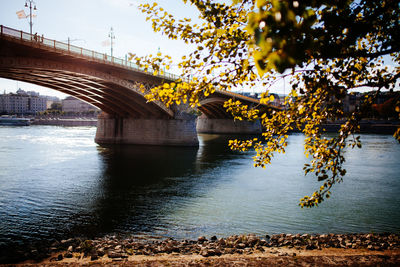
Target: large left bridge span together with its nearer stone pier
x: 116, y: 89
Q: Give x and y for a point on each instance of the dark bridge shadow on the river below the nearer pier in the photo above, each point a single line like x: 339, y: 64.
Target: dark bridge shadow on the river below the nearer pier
x: 142, y: 186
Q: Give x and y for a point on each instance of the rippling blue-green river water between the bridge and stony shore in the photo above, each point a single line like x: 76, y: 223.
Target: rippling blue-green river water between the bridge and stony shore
x: 55, y: 183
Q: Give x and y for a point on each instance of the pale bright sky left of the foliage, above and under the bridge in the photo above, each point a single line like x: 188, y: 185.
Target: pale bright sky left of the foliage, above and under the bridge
x: 88, y: 22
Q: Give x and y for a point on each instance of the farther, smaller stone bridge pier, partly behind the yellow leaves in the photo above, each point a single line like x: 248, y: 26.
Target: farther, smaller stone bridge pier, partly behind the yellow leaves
x: 227, y: 126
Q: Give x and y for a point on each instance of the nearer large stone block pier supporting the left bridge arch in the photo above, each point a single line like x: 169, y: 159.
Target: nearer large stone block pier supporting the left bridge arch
x: 170, y: 132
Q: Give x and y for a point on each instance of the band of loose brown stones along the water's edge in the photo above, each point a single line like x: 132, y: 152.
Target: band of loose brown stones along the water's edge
x: 119, y: 249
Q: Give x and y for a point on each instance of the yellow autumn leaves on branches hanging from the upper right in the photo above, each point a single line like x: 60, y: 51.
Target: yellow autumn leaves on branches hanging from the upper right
x: 324, y: 48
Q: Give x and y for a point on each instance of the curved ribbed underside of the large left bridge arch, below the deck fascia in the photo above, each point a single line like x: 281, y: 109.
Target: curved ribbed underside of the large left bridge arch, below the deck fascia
x: 111, y: 94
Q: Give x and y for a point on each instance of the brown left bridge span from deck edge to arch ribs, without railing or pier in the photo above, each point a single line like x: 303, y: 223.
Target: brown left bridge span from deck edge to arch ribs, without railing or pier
x: 113, y: 89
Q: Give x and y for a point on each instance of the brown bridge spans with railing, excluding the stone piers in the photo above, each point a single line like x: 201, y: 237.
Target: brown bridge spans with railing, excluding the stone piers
x: 109, y: 83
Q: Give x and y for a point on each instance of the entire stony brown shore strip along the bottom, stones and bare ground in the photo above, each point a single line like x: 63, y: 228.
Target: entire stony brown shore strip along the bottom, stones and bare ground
x: 252, y: 250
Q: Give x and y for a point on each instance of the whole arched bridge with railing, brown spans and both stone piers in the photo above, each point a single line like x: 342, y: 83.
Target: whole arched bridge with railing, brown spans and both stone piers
x: 114, y: 86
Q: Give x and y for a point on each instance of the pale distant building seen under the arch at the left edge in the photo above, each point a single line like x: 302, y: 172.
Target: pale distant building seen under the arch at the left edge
x: 22, y: 103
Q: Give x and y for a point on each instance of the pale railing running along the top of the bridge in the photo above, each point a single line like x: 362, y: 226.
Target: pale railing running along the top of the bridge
x: 79, y: 51
